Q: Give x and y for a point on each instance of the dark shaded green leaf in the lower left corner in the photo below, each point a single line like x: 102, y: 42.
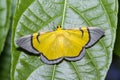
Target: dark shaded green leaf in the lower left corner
x: 5, y: 59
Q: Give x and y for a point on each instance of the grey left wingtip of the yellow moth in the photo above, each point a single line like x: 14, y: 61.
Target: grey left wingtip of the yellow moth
x: 26, y: 43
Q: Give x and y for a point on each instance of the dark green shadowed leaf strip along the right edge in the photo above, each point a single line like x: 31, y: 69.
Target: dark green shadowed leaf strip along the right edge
x: 117, y: 42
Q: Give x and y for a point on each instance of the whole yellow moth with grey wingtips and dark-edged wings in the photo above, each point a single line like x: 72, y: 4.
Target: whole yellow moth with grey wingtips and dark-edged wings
x: 67, y: 44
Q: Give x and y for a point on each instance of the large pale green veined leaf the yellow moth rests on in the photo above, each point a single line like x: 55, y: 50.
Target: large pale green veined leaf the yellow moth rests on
x: 40, y: 15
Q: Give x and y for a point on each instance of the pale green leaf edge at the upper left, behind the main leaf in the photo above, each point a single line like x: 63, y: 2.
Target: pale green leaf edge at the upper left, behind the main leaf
x: 4, y: 21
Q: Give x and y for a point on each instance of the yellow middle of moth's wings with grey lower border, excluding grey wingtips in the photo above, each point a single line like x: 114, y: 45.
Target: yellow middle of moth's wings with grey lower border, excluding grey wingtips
x: 69, y: 45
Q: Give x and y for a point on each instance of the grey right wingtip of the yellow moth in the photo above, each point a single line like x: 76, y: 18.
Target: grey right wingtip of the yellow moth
x: 95, y: 34
